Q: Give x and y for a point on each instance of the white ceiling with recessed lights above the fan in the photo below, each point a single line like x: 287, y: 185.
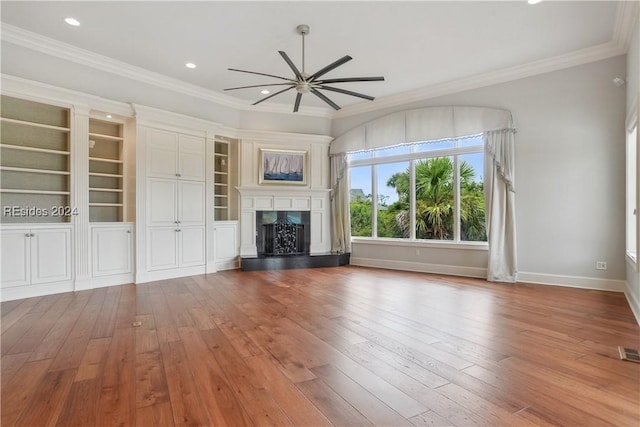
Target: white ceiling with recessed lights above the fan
x: 414, y: 45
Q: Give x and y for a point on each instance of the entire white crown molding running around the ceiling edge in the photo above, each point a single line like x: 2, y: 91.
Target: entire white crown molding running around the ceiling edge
x: 627, y: 15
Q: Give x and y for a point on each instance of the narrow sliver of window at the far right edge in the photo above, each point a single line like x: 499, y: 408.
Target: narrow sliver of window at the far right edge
x: 632, y: 193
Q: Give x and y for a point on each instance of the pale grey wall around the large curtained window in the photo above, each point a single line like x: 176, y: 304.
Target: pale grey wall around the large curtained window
x: 569, y: 174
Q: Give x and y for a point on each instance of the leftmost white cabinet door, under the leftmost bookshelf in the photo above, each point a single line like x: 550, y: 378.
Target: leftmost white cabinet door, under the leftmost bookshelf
x: 16, y: 258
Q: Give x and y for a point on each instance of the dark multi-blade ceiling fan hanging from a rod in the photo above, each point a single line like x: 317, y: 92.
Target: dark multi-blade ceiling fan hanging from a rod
x: 309, y: 83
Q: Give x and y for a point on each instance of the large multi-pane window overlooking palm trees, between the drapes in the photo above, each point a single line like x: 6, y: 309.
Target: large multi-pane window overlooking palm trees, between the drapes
x: 425, y: 191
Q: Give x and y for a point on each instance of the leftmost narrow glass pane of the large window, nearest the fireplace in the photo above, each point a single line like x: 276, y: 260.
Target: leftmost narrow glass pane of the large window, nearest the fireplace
x: 360, y: 201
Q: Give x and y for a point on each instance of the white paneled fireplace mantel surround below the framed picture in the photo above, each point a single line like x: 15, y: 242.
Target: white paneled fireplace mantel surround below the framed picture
x: 283, y: 198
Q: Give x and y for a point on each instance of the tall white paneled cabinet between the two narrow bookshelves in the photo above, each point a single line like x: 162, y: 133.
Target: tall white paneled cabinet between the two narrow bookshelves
x: 175, y: 203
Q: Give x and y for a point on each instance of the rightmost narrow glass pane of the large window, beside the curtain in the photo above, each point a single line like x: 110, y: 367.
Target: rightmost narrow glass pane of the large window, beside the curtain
x: 472, y: 218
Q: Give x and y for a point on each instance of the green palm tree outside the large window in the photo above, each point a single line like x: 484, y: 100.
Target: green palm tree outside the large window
x: 434, y: 200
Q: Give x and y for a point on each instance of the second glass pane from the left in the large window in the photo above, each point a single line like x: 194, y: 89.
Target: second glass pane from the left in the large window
x: 393, y: 199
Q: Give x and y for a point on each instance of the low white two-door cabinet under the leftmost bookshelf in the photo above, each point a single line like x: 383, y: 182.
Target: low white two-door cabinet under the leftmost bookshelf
x: 35, y: 255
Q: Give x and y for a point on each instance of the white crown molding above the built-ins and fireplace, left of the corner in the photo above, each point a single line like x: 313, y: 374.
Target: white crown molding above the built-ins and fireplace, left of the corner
x: 36, y: 42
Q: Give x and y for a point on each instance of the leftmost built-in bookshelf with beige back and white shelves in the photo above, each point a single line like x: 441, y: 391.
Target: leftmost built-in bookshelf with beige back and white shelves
x: 35, y: 162
